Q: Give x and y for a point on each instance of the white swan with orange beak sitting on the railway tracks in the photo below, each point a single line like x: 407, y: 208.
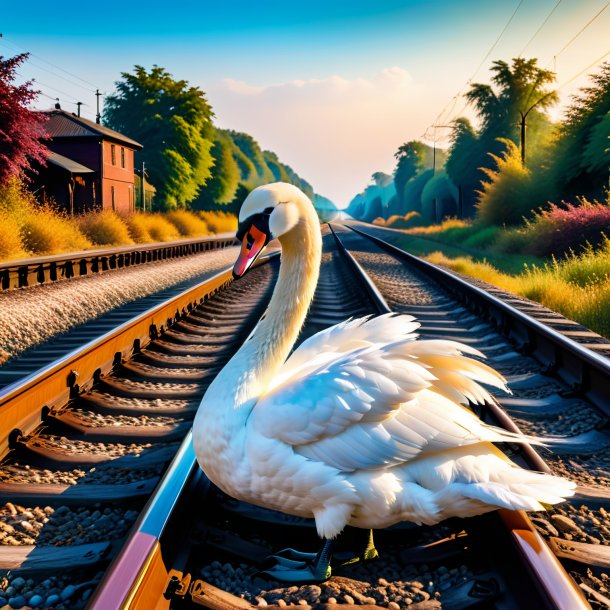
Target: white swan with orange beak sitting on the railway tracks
x: 362, y: 425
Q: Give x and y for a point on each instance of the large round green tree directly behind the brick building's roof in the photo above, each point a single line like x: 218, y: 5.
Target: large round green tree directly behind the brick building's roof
x: 173, y: 121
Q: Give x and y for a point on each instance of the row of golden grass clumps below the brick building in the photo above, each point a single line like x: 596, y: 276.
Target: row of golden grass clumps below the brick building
x: 28, y: 228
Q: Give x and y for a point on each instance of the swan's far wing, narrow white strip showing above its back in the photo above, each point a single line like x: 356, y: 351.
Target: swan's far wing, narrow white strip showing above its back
x: 345, y: 337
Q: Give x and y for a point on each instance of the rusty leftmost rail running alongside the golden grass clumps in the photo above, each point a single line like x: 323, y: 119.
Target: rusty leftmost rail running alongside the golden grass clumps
x: 46, y: 269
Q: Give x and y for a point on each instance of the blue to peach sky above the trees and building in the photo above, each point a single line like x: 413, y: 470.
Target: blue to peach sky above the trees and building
x: 333, y: 87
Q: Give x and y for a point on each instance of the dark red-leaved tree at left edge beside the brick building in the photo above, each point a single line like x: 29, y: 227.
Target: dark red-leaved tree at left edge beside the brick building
x: 21, y: 129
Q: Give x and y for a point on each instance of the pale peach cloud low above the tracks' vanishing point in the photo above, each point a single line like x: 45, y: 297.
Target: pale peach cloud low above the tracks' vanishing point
x: 334, y: 131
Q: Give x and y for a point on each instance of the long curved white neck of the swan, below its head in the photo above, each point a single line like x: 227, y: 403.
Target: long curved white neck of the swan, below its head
x: 258, y: 360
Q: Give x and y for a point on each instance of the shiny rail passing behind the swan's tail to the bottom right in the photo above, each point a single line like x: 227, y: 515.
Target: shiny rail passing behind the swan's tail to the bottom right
x: 560, y: 591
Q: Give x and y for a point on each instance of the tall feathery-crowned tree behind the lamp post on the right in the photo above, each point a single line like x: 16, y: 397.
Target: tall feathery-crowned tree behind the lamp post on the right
x: 521, y: 92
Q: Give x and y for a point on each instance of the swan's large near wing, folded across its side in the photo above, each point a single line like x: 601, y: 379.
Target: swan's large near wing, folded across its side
x: 381, y: 405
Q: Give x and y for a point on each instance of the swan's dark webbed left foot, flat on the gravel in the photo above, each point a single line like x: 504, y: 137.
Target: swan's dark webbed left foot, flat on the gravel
x: 304, y: 568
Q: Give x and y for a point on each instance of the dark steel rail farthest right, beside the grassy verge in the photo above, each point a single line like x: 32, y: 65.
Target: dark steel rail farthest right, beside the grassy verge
x: 583, y: 370
